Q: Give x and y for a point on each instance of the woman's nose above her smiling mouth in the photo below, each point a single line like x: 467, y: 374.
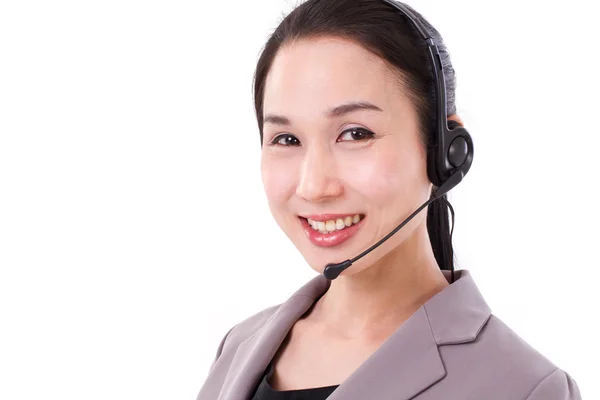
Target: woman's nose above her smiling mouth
x: 319, y: 179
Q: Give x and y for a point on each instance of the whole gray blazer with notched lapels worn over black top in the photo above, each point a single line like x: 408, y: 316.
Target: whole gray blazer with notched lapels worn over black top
x: 451, y: 348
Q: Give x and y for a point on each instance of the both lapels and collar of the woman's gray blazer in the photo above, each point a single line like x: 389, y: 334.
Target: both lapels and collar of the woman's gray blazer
x: 407, y: 363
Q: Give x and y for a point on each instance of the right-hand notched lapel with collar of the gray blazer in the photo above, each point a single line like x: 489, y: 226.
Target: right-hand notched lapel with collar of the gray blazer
x: 409, y: 361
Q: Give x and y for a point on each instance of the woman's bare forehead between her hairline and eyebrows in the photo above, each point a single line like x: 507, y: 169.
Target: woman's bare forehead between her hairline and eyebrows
x: 309, y: 76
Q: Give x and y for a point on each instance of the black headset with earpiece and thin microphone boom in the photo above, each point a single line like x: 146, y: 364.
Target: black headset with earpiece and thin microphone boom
x: 450, y: 156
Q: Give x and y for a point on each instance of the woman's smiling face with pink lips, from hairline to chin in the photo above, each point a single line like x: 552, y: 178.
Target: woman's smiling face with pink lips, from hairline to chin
x: 354, y: 160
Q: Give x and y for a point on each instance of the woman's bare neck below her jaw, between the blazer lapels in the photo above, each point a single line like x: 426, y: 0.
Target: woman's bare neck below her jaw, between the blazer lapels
x: 374, y: 302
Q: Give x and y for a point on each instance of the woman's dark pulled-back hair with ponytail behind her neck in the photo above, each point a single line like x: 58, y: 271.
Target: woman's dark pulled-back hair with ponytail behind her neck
x: 383, y: 30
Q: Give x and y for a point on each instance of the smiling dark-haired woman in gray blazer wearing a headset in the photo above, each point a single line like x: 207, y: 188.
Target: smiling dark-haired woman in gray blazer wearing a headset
x: 346, y: 102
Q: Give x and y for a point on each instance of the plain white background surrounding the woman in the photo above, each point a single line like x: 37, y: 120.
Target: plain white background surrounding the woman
x: 134, y: 230
